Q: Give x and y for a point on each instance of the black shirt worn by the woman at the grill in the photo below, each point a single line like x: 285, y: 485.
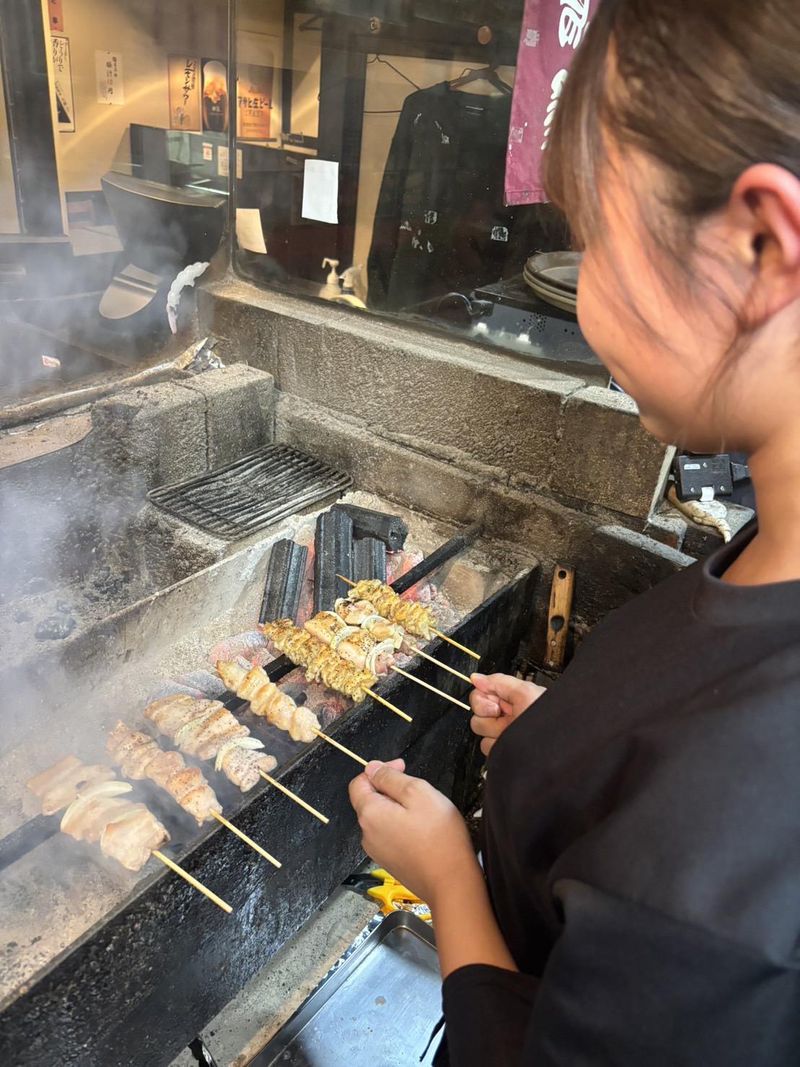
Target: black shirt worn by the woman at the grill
x: 643, y: 845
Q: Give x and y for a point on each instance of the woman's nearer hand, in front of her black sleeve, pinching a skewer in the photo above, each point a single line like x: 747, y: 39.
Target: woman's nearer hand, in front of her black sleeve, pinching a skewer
x: 411, y: 829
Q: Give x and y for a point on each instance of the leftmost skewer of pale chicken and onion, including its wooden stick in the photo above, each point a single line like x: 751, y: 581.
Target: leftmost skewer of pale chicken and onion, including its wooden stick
x: 126, y: 832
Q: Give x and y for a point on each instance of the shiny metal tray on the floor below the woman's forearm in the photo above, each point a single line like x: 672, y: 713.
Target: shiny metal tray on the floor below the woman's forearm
x: 376, y: 1009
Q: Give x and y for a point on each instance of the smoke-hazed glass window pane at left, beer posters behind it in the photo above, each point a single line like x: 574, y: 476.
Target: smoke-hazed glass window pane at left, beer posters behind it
x: 114, y: 179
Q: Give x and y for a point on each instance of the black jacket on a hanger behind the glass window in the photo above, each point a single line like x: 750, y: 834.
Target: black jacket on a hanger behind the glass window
x: 441, y: 224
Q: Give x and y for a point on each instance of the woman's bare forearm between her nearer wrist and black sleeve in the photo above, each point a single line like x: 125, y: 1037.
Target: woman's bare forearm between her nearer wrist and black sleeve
x: 466, y: 926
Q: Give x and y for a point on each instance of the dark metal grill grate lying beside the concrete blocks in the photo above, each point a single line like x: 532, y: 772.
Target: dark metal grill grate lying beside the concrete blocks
x: 255, y: 492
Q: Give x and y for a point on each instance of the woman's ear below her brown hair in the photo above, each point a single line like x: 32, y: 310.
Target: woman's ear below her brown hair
x: 765, y: 211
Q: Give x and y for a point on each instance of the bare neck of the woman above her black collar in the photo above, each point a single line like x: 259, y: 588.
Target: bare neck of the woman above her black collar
x: 774, y: 555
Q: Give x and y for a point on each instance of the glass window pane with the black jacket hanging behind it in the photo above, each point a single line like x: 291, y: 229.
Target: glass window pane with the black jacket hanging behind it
x: 372, y: 152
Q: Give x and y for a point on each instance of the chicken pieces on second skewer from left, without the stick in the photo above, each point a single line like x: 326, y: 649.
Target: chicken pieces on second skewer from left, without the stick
x: 140, y: 757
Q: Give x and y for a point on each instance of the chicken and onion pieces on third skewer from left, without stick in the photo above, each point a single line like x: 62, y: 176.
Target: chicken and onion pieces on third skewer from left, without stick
x: 207, y: 730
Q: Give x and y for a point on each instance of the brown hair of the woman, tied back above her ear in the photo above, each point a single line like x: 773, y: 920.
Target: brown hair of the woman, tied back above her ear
x: 703, y: 88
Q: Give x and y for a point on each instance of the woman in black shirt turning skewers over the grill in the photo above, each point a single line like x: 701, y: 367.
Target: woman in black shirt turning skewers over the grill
x: 642, y: 903
